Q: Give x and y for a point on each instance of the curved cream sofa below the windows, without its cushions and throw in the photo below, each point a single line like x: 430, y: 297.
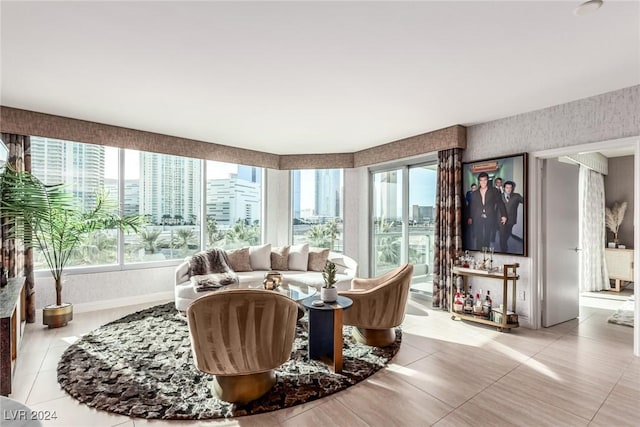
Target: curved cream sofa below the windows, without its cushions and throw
x: 347, y: 269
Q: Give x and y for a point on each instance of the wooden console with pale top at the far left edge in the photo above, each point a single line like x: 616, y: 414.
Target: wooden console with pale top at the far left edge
x: 12, y: 322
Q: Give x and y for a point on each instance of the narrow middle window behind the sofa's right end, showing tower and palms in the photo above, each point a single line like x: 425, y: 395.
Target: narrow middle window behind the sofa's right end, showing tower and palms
x: 318, y: 208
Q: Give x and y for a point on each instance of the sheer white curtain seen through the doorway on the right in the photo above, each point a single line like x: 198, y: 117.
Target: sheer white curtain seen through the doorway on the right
x: 593, y: 268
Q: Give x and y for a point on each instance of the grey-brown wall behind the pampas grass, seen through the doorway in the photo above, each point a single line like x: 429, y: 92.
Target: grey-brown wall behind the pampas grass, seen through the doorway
x: 619, y: 187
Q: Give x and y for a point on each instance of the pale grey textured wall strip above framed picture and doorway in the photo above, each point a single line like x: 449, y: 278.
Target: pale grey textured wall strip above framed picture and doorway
x: 600, y: 118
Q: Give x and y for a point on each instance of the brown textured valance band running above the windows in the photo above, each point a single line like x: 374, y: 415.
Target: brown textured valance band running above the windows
x: 26, y: 122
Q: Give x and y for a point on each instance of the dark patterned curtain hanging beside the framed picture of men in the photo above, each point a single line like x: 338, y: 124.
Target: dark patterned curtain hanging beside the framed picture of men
x: 448, y: 220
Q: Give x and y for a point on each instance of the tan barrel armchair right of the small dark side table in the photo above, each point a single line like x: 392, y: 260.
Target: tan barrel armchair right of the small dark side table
x: 378, y: 305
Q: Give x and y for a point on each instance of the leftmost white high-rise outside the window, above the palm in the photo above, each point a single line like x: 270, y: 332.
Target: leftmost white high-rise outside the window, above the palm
x: 80, y: 166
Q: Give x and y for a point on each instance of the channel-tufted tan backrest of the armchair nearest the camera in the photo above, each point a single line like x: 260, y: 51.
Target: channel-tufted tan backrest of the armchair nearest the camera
x: 241, y: 331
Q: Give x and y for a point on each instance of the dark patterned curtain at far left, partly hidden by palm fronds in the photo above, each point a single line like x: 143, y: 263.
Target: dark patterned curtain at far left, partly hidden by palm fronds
x: 15, y: 259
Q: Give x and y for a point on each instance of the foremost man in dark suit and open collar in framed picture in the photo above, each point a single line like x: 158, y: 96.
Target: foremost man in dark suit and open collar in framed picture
x: 486, y: 210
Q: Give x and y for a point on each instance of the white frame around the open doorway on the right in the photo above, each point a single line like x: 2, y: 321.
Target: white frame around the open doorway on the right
x: 535, y: 230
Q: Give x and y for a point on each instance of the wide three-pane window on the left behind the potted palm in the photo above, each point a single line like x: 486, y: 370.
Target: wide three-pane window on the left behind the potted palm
x: 166, y: 190
